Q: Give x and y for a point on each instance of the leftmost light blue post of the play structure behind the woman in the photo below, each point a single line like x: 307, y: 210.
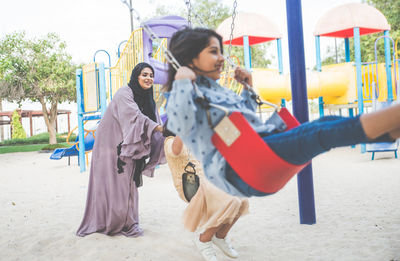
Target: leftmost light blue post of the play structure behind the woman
x: 81, y: 136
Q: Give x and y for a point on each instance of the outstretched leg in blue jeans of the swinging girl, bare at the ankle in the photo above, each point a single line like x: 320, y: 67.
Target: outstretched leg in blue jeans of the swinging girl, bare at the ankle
x: 303, y: 143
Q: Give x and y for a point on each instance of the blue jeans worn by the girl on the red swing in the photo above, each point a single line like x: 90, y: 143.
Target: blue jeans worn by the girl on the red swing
x: 301, y: 144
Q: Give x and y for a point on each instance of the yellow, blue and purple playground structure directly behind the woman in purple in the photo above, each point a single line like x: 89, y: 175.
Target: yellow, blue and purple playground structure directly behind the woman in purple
x: 96, y: 84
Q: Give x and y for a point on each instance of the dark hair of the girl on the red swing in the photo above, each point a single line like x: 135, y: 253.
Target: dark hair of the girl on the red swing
x: 187, y: 44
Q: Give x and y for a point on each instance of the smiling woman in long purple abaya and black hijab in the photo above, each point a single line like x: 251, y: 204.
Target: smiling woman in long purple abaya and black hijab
x: 129, y: 143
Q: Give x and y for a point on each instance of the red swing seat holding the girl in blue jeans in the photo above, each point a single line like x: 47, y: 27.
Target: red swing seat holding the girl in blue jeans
x: 253, y: 160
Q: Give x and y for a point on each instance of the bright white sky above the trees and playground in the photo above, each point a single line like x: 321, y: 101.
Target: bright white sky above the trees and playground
x: 90, y: 25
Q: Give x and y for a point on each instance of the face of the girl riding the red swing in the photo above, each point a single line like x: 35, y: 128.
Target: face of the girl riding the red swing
x: 210, y: 60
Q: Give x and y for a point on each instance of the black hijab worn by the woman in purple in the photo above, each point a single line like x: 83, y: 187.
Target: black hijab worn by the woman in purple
x: 143, y: 98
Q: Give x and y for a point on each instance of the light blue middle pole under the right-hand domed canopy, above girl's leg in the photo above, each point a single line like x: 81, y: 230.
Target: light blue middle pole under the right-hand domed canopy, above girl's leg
x: 357, y: 55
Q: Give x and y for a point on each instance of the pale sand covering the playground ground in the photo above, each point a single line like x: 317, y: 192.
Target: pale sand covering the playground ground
x: 357, y: 205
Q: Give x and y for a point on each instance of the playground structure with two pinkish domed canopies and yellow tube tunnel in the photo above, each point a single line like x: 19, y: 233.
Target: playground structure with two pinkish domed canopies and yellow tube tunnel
x: 341, y: 84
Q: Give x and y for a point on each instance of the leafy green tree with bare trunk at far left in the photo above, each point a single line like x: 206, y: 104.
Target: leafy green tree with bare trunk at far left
x: 37, y: 70
